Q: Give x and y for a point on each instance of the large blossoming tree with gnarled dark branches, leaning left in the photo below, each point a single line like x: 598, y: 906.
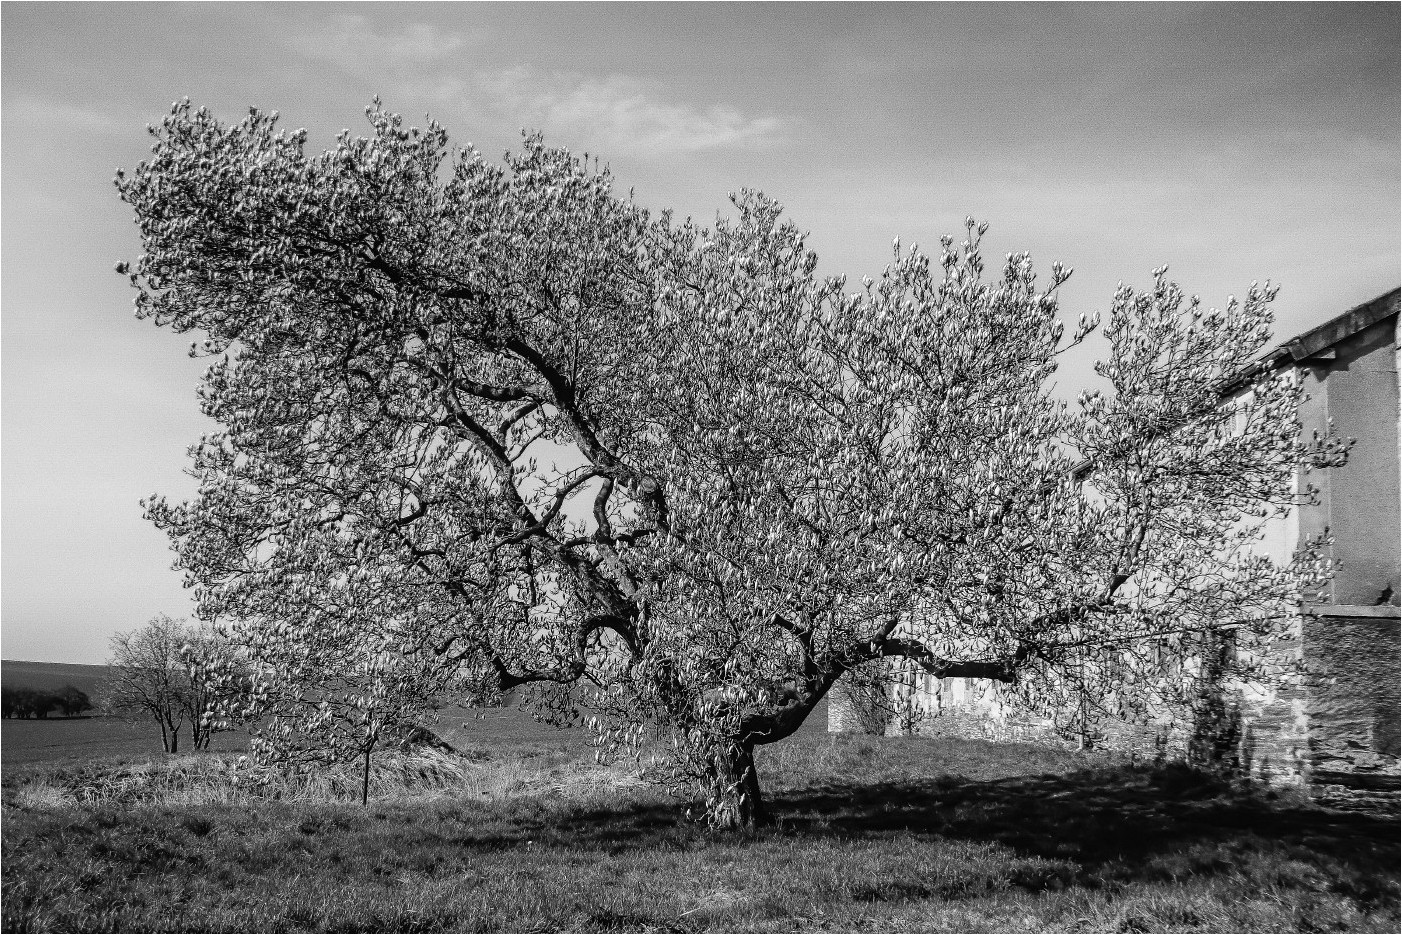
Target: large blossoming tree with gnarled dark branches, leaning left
x: 536, y: 437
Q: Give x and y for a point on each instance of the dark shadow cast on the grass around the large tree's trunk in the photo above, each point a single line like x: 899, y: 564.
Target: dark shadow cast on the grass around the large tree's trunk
x: 1128, y: 825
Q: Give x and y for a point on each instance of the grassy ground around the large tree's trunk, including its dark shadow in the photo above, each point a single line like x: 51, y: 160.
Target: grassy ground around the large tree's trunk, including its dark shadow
x: 874, y: 835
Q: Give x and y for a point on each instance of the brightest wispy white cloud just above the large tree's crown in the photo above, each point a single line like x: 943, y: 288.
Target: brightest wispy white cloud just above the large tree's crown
x: 618, y: 111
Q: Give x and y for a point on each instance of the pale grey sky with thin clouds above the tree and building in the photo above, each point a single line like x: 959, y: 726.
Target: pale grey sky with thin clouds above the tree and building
x: 1230, y: 142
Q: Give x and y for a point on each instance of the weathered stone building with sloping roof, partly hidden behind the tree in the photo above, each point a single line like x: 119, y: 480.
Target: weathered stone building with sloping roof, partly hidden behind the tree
x: 1335, y: 731
